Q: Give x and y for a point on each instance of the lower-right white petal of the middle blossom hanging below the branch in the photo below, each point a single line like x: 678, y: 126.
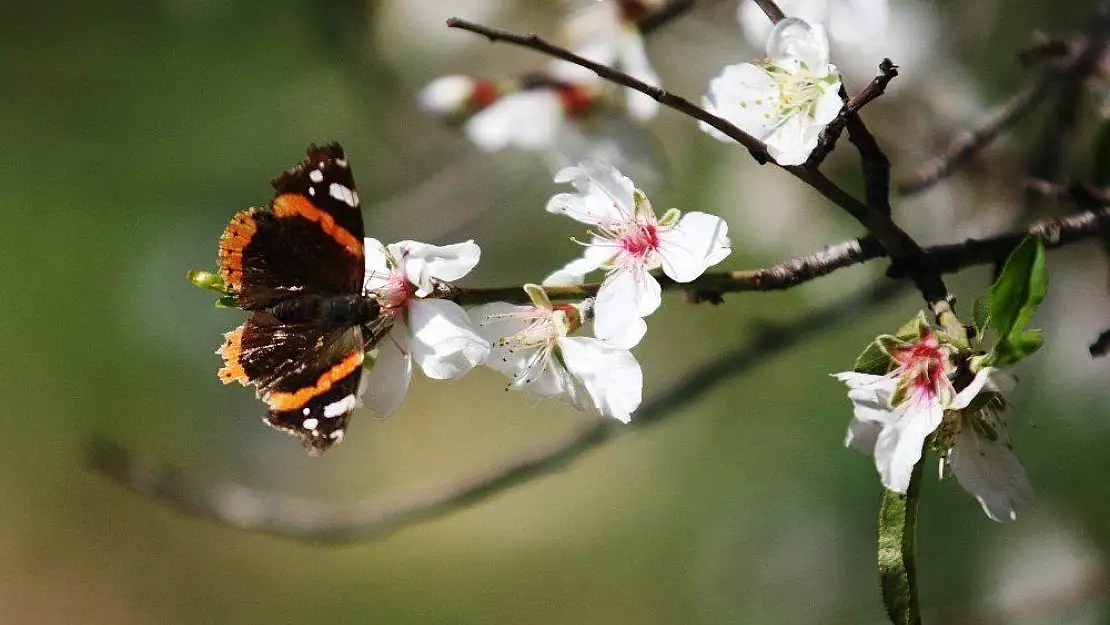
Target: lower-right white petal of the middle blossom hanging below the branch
x: 611, y: 376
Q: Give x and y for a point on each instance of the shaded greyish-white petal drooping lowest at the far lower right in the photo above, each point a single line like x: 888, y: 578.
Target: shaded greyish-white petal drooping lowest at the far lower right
x: 991, y: 472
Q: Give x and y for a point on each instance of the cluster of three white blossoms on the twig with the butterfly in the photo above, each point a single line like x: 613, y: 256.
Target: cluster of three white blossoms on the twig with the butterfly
x: 541, y: 347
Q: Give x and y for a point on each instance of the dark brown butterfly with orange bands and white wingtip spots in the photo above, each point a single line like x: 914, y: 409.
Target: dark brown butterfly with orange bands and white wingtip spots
x: 299, y: 268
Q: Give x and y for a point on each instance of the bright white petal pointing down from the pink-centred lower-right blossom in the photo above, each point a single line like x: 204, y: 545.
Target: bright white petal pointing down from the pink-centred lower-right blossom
x: 901, y: 443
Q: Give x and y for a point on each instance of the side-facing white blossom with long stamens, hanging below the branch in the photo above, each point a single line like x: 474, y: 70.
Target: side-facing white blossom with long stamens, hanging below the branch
x: 534, y: 348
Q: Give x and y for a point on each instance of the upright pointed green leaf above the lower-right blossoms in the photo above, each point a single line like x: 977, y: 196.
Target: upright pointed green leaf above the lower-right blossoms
x: 1020, y: 290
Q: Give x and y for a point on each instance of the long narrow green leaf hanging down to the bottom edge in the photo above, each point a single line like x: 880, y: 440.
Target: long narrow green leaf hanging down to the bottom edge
x: 897, y: 553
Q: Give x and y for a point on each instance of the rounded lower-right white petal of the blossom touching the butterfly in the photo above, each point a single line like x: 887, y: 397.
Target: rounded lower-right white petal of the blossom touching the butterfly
x: 443, y: 344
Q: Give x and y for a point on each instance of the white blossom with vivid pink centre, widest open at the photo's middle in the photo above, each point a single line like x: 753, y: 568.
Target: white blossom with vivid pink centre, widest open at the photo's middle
x: 629, y: 241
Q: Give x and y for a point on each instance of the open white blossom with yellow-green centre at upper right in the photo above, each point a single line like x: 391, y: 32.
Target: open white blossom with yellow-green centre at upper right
x: 786, y: 102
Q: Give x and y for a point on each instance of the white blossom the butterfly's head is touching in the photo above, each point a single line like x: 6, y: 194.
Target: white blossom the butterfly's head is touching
x: 435, y: 332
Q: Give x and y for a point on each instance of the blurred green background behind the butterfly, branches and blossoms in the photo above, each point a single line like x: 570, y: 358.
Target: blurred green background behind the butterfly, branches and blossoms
x: 134, y: 132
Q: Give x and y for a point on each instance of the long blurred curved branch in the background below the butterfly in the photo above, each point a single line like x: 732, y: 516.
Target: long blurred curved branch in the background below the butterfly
x: 239, y: 507
